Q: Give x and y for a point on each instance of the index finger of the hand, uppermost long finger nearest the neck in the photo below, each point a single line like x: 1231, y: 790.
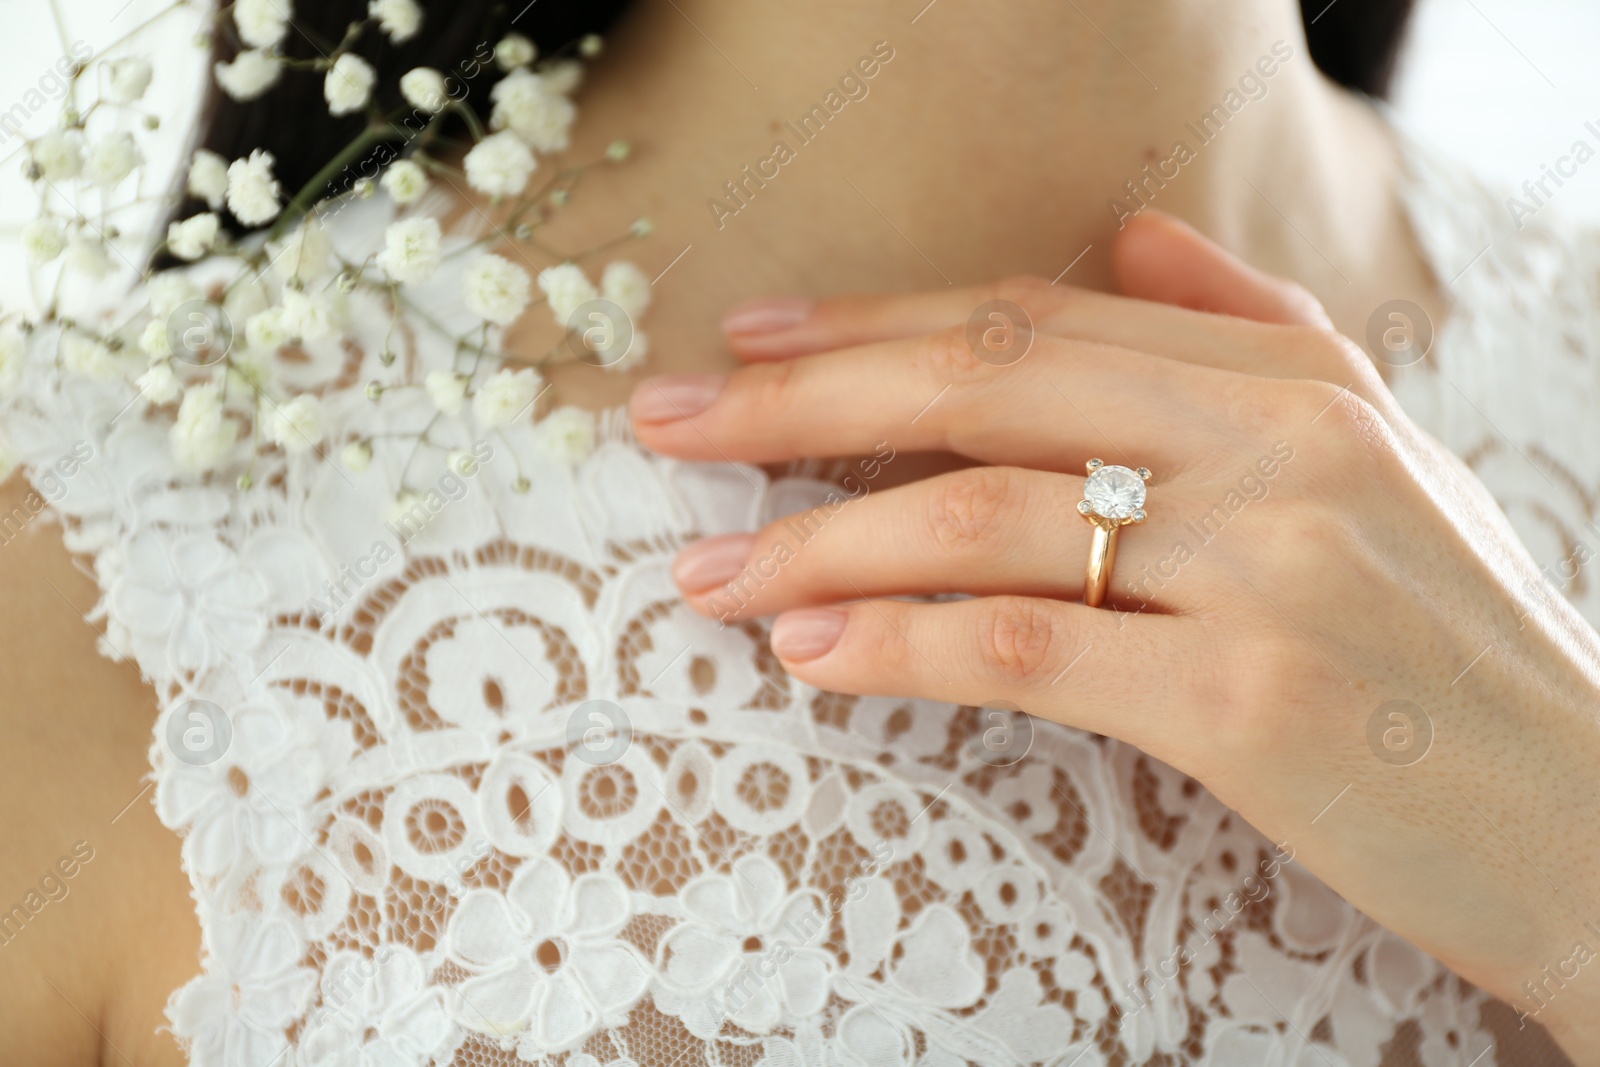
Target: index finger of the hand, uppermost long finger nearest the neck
x: 782, y: 329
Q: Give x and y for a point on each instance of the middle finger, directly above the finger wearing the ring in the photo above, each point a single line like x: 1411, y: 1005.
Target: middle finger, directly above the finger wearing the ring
x: 935, y: 394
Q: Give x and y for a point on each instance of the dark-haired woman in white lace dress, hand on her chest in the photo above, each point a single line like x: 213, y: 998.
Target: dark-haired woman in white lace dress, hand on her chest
x: 510, y: 793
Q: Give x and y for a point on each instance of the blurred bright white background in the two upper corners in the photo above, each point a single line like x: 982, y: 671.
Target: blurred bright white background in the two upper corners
x: 1505, y: 86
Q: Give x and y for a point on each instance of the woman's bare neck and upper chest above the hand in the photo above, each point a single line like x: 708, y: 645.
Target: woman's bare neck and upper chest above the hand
x: 841, y: 146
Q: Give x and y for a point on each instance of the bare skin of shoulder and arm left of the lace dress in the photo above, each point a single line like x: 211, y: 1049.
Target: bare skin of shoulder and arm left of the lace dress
x: 97, y: 922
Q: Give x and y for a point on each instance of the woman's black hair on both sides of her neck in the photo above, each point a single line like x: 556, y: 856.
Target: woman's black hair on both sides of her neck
x: 1354, y: 42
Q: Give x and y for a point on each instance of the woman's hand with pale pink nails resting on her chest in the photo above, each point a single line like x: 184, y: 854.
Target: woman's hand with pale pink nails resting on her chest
x: 1324, y: 620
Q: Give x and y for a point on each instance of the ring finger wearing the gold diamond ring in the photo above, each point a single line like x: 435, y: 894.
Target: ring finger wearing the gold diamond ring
x: 980, y: 532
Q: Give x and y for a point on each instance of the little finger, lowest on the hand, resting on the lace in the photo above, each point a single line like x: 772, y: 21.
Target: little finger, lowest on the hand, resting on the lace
x: 1055, y: 660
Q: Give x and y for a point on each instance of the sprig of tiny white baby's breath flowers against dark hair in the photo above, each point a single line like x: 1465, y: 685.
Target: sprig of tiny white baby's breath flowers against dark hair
x: 212, y: 346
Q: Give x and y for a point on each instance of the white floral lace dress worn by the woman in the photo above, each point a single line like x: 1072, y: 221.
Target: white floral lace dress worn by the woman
x: 511, y: 802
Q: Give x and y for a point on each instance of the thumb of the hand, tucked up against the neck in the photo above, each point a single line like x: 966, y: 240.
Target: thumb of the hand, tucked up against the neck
x: 1162, y: 260
